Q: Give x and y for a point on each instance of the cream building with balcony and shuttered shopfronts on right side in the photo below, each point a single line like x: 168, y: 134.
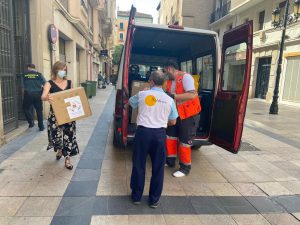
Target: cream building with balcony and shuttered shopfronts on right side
x: 266, y: 41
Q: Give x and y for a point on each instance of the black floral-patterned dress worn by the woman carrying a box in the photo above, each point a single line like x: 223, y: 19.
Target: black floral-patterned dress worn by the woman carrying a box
x: 64, y: 136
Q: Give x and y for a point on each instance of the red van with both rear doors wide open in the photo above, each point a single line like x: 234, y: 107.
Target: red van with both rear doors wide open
x: 223, y: 84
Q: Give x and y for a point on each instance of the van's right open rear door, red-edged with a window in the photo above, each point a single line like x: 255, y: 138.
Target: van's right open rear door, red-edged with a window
x: 232, y: 94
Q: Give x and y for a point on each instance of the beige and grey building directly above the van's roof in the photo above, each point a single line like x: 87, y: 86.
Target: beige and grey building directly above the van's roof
x: 188, y: 13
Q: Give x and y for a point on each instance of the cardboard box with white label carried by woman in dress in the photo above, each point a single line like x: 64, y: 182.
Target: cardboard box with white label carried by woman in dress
x: 70, y: 105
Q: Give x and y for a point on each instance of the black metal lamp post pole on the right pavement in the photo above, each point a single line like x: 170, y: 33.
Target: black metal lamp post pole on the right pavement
x: 274, y: 105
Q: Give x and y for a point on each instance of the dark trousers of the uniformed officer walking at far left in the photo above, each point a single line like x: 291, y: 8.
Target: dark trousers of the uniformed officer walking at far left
x: 33, y: 99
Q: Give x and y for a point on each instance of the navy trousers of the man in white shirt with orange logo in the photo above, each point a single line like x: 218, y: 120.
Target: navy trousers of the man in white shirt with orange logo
x: 148, y: 141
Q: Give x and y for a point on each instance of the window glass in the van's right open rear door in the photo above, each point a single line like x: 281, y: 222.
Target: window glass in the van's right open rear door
x: 234, y: 67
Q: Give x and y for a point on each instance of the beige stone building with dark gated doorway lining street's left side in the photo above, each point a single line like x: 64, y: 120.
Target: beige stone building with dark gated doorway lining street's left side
x: 80, y: 30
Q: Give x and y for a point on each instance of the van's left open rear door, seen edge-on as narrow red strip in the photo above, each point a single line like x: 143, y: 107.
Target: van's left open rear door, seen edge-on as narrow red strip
x: 125, y: 90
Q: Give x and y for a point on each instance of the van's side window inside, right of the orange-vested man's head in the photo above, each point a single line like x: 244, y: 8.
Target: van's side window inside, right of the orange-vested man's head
x: 205, y: 69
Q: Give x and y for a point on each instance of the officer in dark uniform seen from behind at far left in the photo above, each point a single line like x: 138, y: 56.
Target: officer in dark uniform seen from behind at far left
x: 32, y: 83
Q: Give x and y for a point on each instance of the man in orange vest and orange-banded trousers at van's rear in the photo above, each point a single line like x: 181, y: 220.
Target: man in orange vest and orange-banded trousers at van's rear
x: 181, y: 88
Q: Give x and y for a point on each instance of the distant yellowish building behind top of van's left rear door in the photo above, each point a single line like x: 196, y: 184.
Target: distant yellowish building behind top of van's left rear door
x: 121, y: 24
